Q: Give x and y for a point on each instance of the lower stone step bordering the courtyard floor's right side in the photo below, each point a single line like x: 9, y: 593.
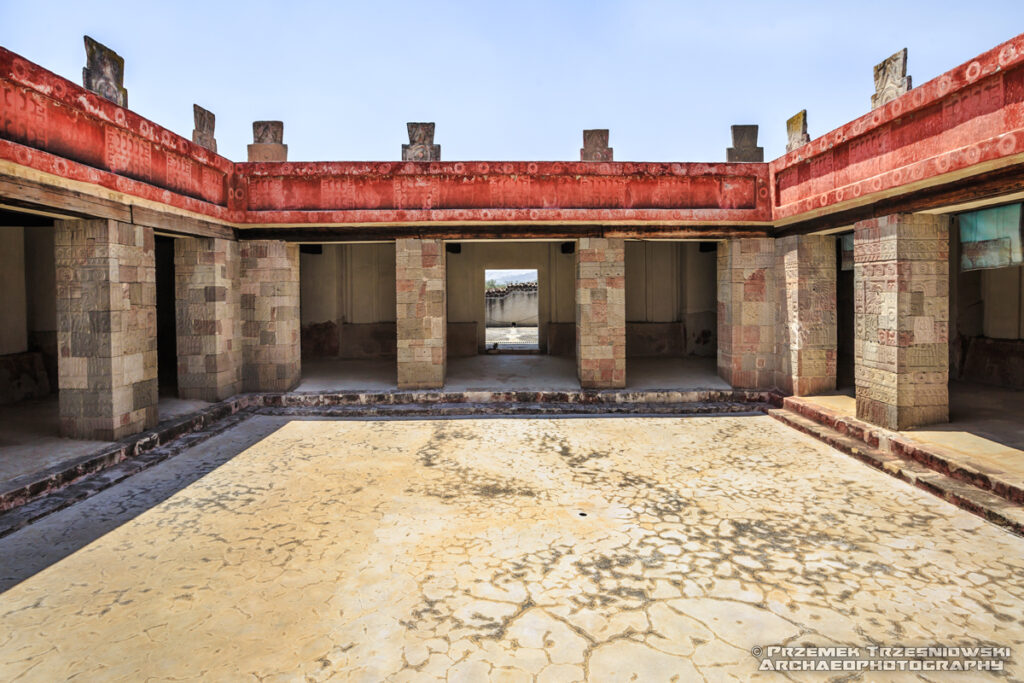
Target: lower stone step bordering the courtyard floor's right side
x: 962, y: 494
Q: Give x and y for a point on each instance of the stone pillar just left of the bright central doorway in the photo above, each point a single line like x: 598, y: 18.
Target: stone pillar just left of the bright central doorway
x: 421, y: 314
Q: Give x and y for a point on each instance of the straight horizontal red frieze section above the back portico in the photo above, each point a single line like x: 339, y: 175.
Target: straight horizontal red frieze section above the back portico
x: 507, y: 192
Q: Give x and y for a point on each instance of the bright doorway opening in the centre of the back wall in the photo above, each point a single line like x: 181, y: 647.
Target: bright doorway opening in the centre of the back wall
x: 511, y: 317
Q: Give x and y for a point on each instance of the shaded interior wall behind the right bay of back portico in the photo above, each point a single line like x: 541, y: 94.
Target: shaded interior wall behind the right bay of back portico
x: 671, y: 305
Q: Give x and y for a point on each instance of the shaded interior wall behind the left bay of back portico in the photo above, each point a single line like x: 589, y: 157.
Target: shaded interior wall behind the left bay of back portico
x: 348, y: 297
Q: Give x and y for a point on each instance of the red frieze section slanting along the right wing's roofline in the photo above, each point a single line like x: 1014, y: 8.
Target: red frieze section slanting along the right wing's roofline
x: 966, y: 117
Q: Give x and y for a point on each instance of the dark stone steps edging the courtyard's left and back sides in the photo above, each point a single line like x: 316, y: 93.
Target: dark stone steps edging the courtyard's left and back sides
x: 31, y: 497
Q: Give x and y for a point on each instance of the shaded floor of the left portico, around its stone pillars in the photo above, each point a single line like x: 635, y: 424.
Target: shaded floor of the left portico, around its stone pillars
x: 31, y: 442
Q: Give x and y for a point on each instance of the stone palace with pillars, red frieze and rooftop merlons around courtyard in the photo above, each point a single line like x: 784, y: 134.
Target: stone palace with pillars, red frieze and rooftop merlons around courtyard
x: 147, y: 266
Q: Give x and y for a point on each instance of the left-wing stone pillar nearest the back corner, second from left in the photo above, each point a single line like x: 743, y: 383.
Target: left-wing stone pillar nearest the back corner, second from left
x: 207, y: 312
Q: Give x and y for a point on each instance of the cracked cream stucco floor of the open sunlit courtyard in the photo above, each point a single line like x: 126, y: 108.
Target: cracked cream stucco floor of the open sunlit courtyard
x: 615, y: 549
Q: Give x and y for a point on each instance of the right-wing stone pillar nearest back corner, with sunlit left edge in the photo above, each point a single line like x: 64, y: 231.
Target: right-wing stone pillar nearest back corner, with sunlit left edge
x: 806, y: 314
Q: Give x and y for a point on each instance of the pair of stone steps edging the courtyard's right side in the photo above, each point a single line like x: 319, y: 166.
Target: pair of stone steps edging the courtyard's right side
x: 905, y: 460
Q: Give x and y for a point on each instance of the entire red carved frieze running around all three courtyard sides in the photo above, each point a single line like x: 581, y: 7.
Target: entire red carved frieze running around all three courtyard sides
x: 971, y: 116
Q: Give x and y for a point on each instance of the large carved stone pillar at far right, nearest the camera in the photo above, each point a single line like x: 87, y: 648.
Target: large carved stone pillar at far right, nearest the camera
x: 902, y: 303
